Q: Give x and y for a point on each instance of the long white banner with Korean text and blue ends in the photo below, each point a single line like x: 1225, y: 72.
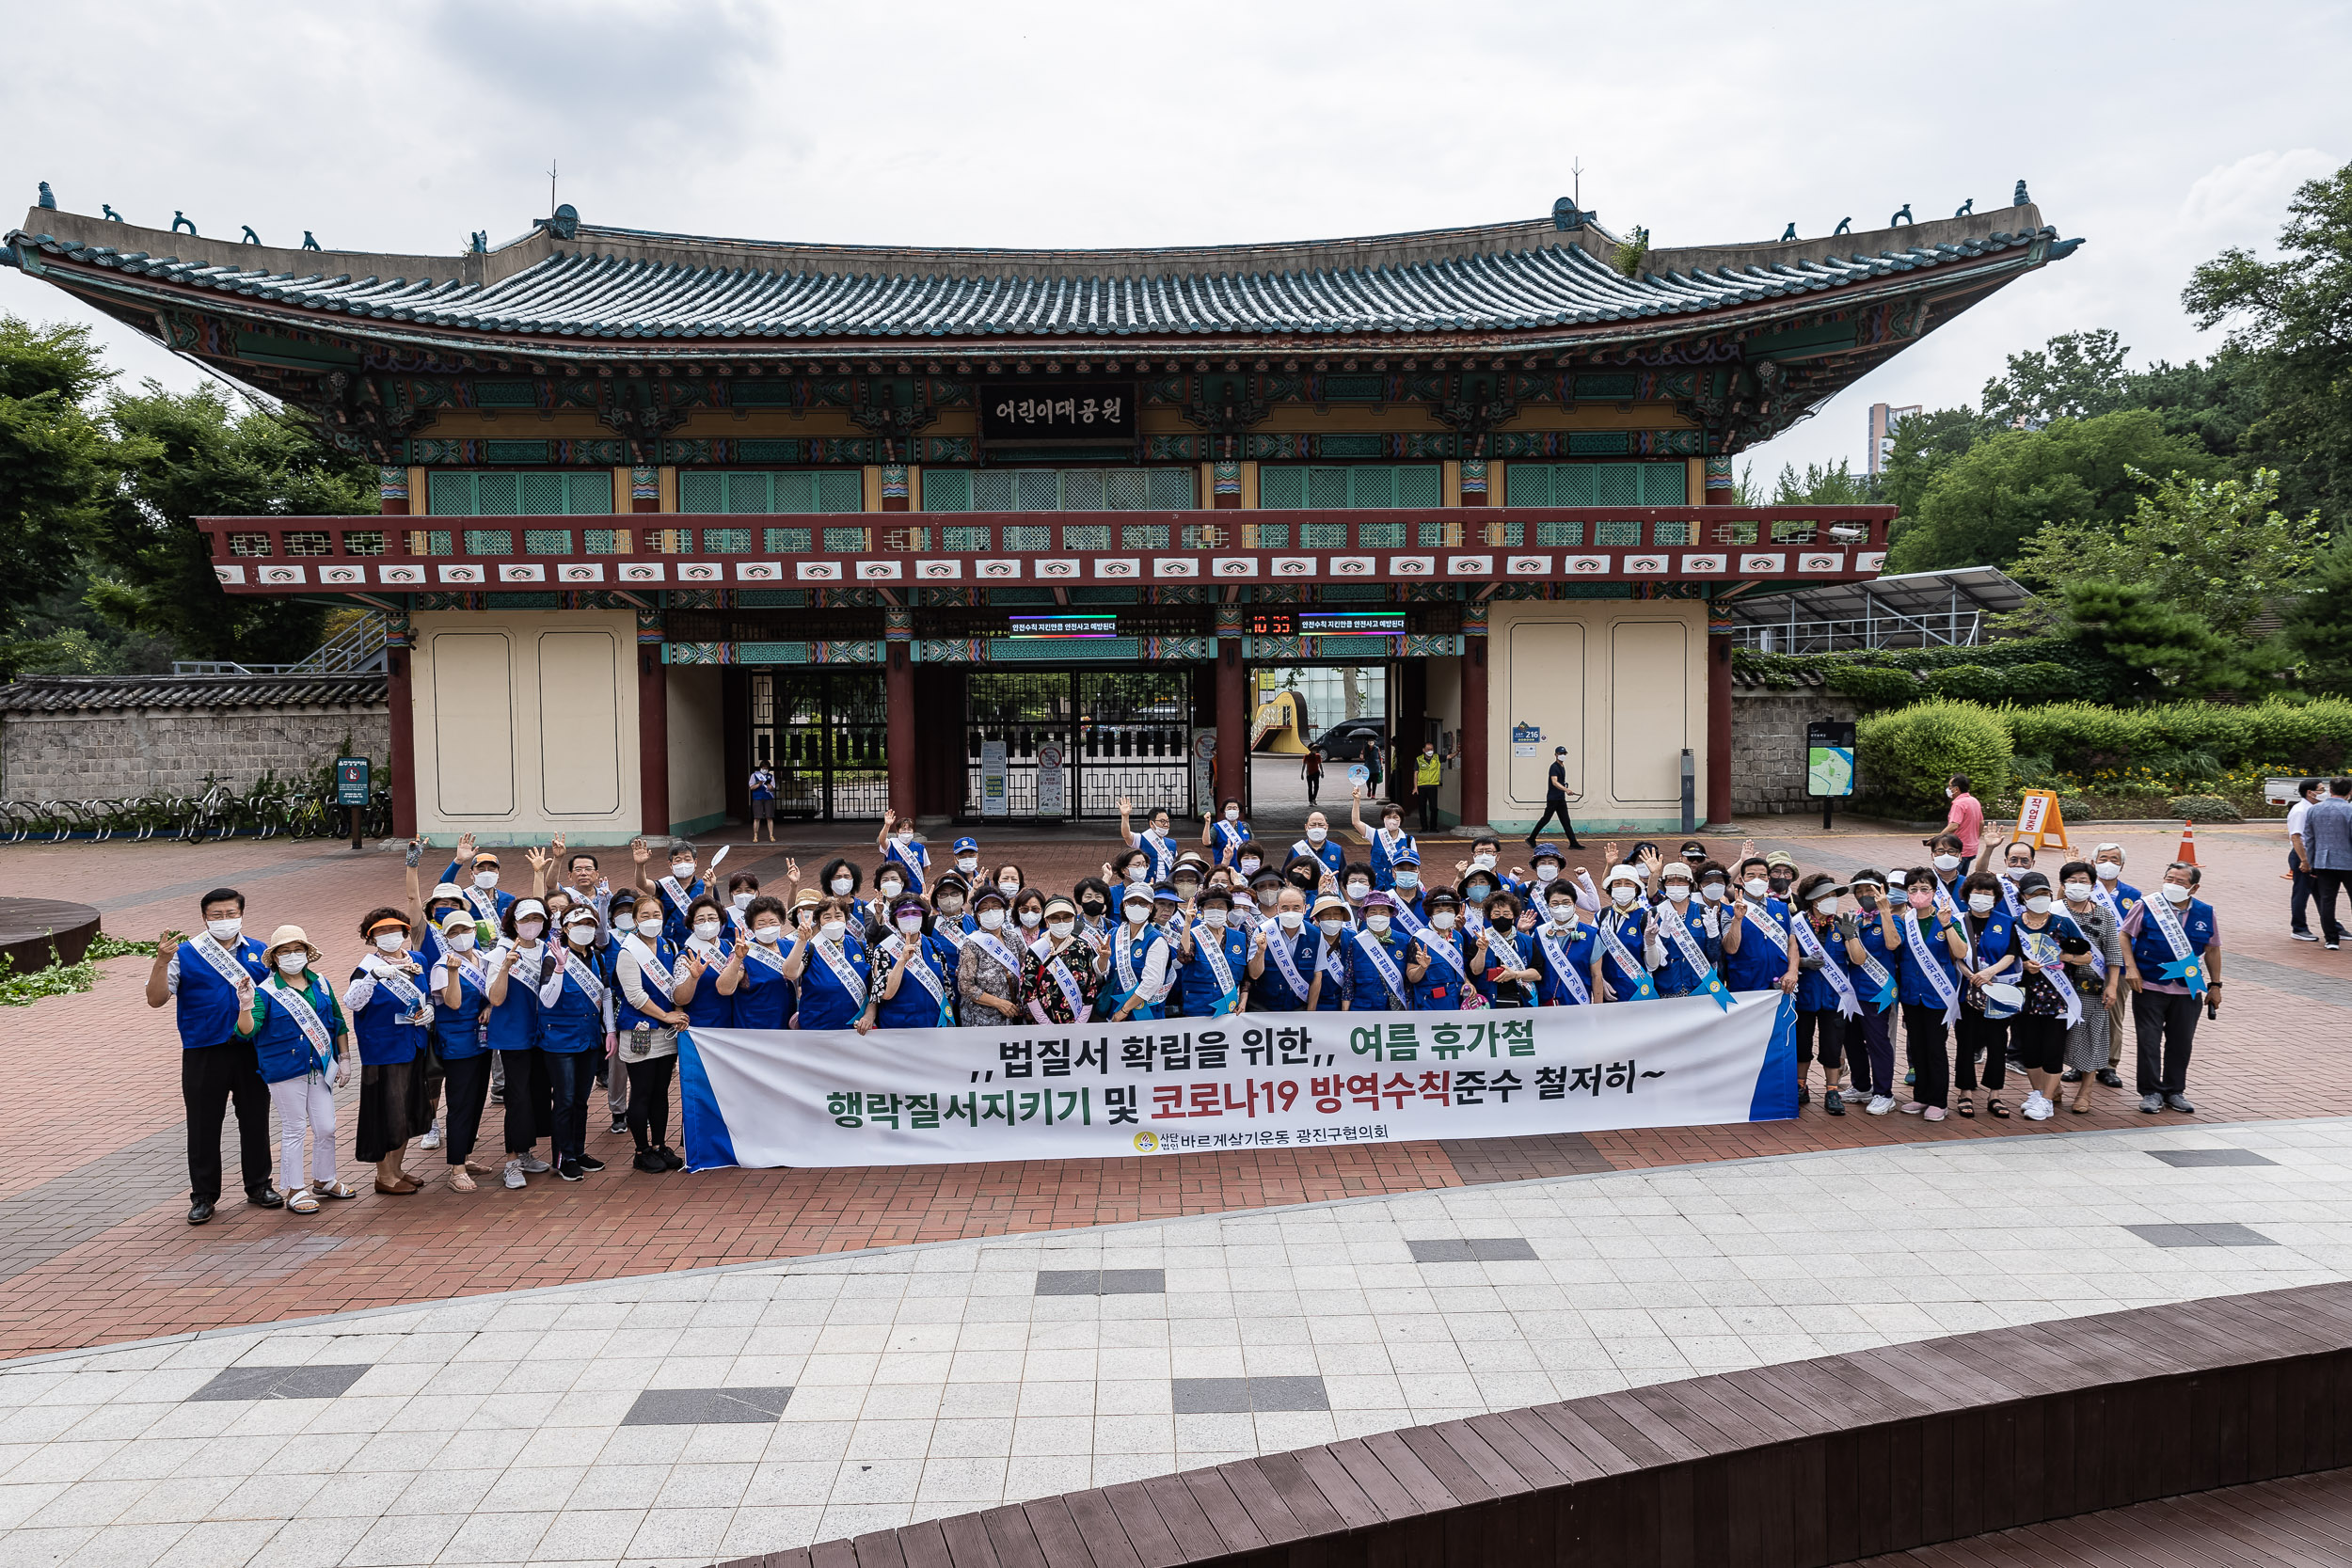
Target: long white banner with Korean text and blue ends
x: 1245, y: 1083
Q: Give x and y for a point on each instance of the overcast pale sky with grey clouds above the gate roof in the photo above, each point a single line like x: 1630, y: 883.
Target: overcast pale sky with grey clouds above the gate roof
x: 2158, y: 130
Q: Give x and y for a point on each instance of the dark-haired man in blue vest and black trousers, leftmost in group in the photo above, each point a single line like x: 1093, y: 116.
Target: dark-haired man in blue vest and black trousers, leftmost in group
x: 203, y: 977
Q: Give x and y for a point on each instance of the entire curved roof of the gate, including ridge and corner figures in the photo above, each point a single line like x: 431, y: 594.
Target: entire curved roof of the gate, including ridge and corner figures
x: 601, y: 293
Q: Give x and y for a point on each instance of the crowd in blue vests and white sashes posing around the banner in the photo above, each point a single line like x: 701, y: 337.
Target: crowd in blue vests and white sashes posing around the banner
x: 535, y: 998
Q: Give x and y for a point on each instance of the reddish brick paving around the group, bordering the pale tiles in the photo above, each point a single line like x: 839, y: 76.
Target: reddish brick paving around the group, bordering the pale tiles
x: 93, y: 1245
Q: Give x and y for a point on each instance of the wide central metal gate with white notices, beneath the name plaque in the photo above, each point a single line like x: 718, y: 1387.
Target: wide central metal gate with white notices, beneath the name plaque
x: 1123, y: 735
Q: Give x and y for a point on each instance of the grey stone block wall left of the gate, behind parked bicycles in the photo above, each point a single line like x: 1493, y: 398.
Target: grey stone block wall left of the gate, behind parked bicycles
x: 114, y: 753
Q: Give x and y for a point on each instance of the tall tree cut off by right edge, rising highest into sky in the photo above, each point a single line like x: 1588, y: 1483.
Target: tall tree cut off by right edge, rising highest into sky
x: 2294, y: 319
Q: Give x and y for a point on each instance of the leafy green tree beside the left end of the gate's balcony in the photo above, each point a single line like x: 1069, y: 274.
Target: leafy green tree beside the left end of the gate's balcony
x: 192, y: 455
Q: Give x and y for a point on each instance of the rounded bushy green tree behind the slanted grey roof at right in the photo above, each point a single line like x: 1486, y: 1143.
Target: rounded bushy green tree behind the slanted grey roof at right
x: 1982, y: 507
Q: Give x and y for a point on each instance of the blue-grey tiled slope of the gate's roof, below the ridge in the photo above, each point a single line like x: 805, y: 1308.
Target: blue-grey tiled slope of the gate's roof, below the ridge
x: 589, y: 295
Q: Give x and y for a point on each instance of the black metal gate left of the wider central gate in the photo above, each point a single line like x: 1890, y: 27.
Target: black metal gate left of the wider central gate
x: 827, y: 737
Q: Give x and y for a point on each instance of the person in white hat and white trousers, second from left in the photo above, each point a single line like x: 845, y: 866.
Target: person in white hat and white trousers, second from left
x: 302, y: 1050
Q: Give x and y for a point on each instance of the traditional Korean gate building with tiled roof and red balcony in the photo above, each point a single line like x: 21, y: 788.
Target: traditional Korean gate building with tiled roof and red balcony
x: 660, y: 504
